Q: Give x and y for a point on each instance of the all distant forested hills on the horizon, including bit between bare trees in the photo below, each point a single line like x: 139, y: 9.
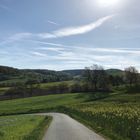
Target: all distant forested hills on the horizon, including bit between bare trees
x: 10, y: 76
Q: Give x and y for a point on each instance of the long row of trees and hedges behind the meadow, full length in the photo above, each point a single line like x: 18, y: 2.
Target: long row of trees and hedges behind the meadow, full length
x: 94, y: 78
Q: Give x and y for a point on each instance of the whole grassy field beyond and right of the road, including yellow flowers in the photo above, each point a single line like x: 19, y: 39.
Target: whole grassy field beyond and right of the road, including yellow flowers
x: 116, y: 116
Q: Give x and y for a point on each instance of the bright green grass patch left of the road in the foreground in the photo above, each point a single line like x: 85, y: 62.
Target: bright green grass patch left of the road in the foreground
x: 22, y: 127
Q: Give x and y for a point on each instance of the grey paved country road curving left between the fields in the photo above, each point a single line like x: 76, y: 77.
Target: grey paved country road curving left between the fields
x: 65, y: 128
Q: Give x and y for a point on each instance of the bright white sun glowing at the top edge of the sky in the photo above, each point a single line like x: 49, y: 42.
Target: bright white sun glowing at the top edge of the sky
x: 107, y: 3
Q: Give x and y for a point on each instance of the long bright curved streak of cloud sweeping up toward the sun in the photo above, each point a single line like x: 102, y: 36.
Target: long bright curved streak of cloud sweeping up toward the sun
x: 64, y: 32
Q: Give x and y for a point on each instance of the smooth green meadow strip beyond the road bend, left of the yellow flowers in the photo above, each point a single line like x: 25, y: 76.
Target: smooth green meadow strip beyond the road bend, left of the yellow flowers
x: 40, y: 103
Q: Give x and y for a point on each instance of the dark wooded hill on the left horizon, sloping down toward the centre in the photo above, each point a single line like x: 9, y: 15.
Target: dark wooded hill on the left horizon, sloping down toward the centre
x: 10, y: 76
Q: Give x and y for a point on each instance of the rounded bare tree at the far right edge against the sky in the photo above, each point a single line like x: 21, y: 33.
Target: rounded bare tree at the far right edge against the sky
x: 131, y: 75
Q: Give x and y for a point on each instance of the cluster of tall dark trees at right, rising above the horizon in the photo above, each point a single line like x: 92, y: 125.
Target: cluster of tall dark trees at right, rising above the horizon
x: 98, y: 79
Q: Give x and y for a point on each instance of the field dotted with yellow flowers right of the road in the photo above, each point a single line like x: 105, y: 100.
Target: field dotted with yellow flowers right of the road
x: 116, y: 119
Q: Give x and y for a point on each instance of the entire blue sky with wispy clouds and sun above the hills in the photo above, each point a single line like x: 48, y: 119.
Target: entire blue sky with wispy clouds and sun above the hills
x: 69, y: 34
